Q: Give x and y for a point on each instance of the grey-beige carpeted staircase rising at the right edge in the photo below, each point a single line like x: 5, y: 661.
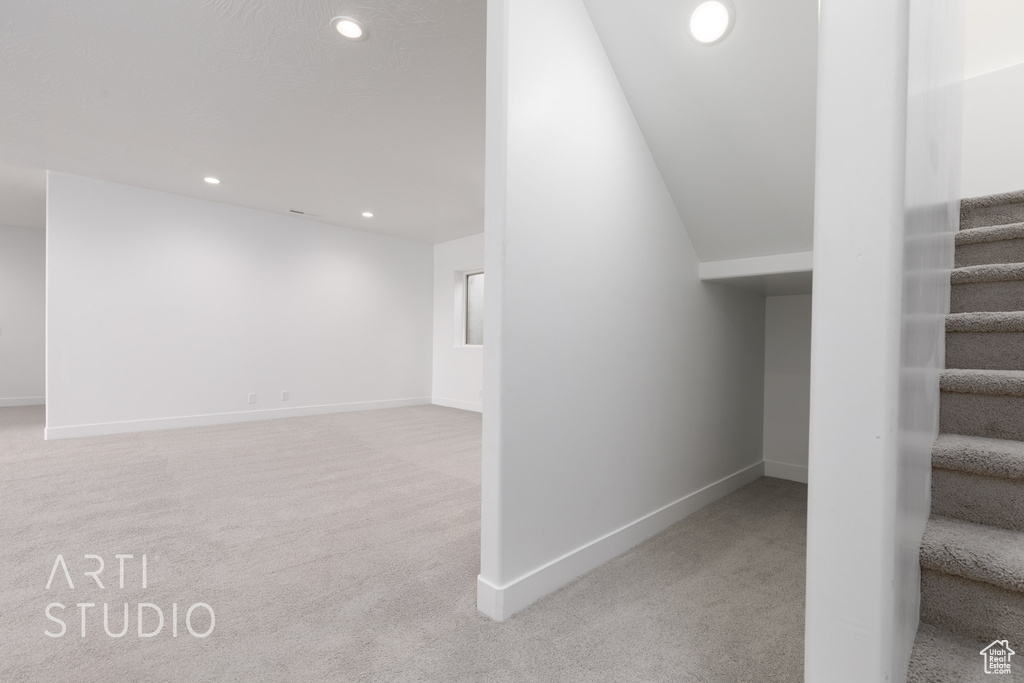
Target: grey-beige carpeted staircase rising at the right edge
x: 972, y: 557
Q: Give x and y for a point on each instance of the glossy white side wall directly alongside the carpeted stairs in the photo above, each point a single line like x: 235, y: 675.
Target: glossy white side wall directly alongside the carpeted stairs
x: 935, y: 75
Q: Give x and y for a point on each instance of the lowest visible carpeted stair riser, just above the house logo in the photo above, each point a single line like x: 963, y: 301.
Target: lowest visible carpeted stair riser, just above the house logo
x: 971, y: 608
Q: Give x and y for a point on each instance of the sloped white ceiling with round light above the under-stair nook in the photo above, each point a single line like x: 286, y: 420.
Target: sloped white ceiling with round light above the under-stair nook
x: 732, y: 125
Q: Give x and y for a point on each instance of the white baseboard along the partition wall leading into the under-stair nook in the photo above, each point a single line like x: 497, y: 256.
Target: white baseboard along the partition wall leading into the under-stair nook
x: 500, y: 603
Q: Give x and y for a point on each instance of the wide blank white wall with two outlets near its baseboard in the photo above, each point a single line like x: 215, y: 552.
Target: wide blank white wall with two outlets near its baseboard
x: 165, y: 311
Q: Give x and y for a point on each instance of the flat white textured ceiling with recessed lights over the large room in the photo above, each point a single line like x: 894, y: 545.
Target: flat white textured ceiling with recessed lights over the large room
x: 262, y: 94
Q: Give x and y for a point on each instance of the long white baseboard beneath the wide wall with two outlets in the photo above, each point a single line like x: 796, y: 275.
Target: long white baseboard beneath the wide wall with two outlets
x: 223, y: 418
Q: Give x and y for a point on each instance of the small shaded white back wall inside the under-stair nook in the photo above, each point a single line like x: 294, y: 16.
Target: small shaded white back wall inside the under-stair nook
x: 788, y: 386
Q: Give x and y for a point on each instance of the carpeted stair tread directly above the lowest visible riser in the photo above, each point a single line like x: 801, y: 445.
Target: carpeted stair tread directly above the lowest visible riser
x: 976, y: 552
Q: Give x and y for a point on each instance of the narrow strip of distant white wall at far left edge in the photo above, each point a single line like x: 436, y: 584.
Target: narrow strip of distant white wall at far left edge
x: 23, y: 323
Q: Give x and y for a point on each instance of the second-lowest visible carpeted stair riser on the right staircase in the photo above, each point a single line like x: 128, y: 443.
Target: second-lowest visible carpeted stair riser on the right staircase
x: 978, y: 499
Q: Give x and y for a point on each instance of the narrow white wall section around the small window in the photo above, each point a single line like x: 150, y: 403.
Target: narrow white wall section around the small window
x: 458, y: 375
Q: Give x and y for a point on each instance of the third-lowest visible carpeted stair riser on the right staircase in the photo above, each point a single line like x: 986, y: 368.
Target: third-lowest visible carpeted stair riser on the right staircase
x: 983, y: 415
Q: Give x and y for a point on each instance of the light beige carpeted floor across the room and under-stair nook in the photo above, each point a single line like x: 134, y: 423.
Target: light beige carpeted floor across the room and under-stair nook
x: 346, y: 548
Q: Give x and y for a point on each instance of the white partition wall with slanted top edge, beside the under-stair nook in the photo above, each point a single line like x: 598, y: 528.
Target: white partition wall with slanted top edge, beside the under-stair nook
x: 622, y: 394
